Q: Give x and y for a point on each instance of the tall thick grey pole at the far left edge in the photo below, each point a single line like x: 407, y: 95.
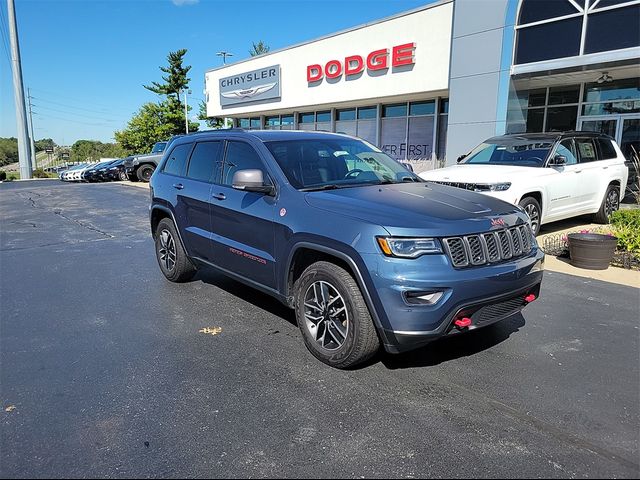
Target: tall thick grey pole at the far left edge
x: 18, y: 90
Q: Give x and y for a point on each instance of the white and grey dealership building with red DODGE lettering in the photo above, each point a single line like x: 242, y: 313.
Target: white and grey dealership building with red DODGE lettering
x: 430, y: 84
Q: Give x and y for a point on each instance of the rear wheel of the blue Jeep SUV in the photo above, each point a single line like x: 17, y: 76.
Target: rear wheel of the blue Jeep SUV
x: 172, y: 258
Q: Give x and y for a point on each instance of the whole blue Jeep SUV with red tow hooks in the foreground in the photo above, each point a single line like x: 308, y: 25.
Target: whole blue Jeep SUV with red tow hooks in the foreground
x: 366, y: 252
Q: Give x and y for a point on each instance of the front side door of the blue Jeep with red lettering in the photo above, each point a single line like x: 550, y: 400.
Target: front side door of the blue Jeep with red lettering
x: 242, y: 222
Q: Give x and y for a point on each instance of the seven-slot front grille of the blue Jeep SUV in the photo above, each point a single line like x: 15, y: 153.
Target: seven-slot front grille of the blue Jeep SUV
x: 490, y: 247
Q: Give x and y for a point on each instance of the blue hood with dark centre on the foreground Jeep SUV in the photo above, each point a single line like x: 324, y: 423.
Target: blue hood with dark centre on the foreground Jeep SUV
x: 410, y: 209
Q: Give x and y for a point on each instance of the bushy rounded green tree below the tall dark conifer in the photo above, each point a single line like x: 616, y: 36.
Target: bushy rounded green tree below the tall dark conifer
x: 153, y: 123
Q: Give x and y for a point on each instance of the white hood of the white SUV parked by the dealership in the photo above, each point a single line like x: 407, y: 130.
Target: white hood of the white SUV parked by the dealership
x: 482, y: 173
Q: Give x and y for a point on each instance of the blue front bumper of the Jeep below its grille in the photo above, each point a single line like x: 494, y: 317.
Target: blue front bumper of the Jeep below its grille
x: 464, y: 292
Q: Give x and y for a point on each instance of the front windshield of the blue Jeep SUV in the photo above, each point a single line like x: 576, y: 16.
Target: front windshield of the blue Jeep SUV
x: 334, y: 163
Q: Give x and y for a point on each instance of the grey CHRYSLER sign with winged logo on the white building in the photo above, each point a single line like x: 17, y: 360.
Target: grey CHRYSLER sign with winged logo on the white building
x: 250, y: 87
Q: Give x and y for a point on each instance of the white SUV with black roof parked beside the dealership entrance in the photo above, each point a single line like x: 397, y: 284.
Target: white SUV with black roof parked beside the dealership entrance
x: 552, y: 176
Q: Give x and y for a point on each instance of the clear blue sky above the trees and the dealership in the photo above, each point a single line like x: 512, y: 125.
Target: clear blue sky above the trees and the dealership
x: 86, y: 61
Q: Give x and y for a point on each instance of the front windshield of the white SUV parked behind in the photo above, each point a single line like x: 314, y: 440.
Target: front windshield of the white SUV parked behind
x: 519, y: 152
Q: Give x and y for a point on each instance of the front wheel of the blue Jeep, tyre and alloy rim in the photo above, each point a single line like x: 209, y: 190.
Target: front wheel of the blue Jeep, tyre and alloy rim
x: 333, y: 317
